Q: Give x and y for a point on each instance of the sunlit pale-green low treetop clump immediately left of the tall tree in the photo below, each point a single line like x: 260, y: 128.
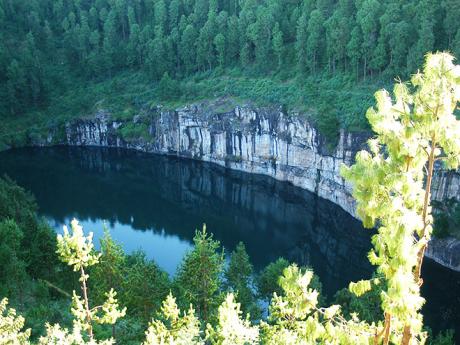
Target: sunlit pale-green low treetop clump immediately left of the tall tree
x: 296, y: 319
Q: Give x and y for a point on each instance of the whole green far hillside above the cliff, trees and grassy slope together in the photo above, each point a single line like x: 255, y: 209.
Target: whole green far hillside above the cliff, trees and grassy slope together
x: 68, y: 57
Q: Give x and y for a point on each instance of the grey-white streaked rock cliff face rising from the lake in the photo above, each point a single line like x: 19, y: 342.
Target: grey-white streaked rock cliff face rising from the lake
x: 266, y: 141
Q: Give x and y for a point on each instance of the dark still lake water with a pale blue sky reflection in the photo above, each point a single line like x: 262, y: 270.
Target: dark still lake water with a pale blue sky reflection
x: 155, y: 203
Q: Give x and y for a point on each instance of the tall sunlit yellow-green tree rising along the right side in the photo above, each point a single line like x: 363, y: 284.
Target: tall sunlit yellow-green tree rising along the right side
x: 392, y: 186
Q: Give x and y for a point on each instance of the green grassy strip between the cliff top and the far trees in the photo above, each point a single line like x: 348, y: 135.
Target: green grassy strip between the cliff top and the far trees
x: 330, y: 102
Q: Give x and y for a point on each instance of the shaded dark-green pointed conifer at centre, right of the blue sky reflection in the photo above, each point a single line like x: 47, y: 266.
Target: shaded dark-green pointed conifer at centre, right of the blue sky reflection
x: 199, y: 278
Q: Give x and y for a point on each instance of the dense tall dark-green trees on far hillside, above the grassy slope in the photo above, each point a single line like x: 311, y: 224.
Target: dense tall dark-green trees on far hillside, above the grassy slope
x: 42, y: 40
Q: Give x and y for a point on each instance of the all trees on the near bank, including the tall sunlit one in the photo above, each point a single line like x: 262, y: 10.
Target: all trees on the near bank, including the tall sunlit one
x: 210, y: 301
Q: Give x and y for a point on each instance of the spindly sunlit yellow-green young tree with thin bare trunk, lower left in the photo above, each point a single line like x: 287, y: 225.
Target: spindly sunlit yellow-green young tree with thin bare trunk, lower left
x: 77, y: 250
